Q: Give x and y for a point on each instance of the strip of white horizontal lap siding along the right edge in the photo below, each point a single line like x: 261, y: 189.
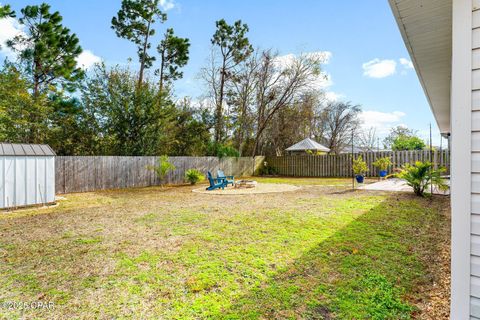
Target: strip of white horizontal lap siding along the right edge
x: 475, y: 166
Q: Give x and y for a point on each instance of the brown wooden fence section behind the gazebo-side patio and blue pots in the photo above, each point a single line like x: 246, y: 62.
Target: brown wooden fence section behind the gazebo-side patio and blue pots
x: 341, y: 165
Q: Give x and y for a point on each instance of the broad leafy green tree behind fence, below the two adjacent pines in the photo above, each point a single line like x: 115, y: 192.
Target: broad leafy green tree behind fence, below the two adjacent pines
x: 130, y: 119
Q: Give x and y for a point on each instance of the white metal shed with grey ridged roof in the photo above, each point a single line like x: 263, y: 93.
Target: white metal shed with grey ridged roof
x: 27, y: 175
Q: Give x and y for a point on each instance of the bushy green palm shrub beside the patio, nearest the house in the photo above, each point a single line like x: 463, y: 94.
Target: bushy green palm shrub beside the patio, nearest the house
x: 420, y: 175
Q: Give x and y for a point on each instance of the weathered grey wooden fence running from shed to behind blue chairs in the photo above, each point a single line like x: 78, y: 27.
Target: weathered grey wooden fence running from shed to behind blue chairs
x: 81, y: 174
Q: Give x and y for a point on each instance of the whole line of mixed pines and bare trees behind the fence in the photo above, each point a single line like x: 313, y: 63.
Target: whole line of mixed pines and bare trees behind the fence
x: 255, y: 101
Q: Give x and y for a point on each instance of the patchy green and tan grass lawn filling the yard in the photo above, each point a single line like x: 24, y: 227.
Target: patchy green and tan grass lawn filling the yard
x: 168, y: 253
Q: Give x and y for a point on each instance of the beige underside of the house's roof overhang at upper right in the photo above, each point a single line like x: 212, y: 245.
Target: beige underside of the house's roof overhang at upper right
x: 426, y: 28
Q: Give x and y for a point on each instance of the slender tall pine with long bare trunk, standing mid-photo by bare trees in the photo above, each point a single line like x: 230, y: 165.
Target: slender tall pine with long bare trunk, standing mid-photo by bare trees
x: 233, y: 47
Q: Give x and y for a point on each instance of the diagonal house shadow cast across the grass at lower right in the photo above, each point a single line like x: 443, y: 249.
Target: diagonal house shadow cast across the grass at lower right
x: 377, y: 267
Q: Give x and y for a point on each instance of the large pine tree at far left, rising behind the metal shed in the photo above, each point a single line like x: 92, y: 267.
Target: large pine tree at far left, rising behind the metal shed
x: 47, y: 53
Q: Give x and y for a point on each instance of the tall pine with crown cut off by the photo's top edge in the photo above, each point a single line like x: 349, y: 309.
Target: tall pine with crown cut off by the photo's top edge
x: 135, y: 21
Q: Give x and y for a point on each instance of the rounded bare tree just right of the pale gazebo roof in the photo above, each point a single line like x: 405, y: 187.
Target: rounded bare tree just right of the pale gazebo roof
x: 338, y: 120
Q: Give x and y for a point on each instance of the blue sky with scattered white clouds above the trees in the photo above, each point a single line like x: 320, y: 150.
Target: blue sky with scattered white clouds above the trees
x: 366, y: 48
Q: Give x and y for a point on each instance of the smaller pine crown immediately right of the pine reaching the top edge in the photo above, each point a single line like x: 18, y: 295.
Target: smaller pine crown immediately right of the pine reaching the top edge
x: 174, y: 54
